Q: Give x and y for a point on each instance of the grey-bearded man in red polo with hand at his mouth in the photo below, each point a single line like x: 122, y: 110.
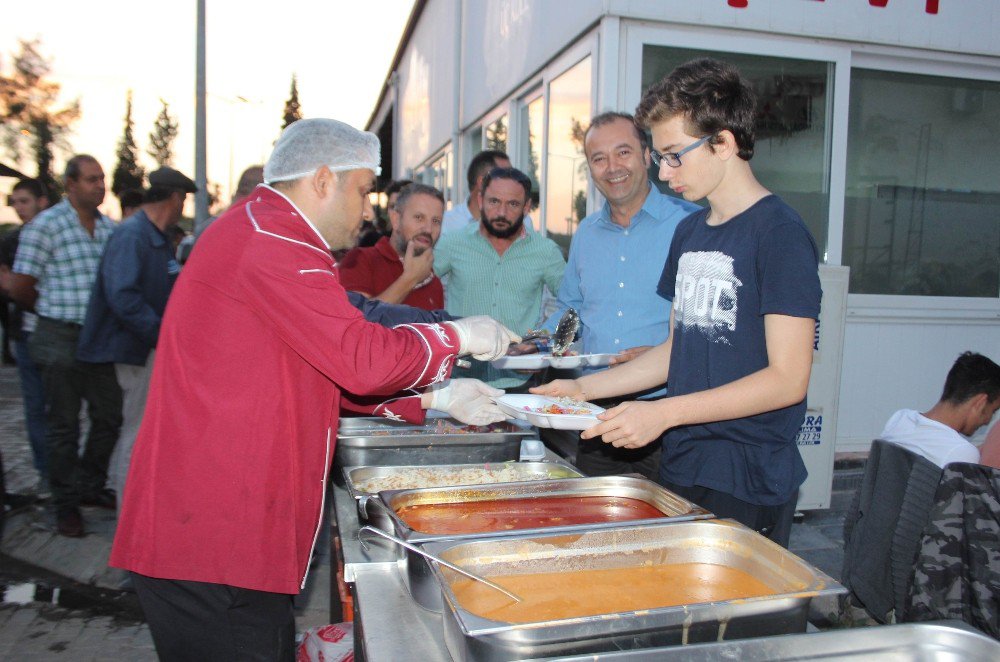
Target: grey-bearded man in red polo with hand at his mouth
x: 399, y: 268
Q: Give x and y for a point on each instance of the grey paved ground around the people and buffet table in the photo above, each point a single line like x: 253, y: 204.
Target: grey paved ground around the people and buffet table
x: 38, y: 630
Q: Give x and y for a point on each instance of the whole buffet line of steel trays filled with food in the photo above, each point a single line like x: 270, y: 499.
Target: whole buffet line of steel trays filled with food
x: 554, y: 564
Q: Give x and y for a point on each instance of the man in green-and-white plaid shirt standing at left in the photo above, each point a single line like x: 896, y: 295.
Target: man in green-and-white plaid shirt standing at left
x: 55, y: 268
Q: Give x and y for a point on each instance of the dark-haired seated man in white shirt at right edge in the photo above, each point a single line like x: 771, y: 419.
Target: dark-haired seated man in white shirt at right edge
x: 971, y: 396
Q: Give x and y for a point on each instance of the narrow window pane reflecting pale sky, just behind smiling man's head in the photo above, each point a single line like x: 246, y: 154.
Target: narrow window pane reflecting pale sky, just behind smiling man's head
x: 566, y: 180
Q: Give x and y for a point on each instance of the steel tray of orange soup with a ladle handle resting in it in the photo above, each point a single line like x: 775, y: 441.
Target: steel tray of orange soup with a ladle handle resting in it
x: 622, y: 588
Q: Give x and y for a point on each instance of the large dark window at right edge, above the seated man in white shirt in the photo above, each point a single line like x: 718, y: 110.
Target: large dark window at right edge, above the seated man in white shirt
x: 922, y: 212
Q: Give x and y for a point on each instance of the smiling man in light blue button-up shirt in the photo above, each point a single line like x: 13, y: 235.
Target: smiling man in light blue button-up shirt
x: 615, y: 262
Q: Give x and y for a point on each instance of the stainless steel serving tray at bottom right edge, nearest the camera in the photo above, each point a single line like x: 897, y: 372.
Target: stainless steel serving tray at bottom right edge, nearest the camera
x: 938, y: 640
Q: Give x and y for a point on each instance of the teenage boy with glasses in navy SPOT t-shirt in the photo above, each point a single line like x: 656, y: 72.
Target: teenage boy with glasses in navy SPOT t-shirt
x: 742, y: 276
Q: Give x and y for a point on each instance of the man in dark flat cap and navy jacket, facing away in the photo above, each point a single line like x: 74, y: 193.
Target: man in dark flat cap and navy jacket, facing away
x: 136, y: 274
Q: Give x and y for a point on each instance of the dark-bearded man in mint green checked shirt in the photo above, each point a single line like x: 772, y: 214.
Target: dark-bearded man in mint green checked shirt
x: 499, y: 269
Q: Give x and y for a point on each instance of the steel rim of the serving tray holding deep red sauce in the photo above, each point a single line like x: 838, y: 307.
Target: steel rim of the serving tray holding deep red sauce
x: 419, y: 579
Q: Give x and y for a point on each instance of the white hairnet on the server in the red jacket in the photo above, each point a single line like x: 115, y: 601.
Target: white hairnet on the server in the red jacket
x: 307, y: 144
